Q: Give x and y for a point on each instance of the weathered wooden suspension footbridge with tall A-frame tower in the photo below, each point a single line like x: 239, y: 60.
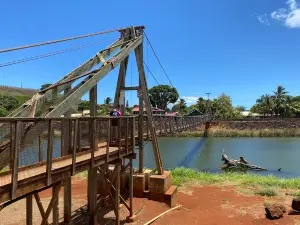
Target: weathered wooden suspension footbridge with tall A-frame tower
x: 66, y: 146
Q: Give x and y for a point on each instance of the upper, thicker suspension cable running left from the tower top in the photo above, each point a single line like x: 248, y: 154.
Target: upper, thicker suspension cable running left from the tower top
x: 59, y: 40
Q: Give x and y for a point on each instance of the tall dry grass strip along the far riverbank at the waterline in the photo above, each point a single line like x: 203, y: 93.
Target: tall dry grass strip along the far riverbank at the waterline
x: 288, y: 132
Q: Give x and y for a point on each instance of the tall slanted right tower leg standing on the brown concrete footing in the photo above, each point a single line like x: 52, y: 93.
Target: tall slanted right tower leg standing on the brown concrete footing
x: 139, y: 60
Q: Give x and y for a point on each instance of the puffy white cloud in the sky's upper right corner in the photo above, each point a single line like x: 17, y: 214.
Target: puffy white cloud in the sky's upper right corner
x: 290, y: 16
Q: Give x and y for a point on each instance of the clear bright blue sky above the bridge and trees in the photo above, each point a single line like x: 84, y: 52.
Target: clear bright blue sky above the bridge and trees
x: 241, y: 48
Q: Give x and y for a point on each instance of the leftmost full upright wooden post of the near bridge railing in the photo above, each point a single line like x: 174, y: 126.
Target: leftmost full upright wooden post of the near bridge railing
x: 15, y: 157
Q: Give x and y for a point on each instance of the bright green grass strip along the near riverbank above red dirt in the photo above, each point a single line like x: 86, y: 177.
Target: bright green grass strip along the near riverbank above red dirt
x: 182, y: 175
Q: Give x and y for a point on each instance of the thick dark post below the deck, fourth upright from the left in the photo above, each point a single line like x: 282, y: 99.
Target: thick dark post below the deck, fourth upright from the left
x: 92, y: 195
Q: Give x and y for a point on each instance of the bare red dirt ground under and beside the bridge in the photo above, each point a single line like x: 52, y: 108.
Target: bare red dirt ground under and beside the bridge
x: 200, y: 205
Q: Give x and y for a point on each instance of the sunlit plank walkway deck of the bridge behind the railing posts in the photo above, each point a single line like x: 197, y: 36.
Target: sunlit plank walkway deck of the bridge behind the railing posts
x: 34, y: 177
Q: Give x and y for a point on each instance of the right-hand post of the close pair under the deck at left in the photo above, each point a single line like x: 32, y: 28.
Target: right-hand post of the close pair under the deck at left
x: 67, y: 200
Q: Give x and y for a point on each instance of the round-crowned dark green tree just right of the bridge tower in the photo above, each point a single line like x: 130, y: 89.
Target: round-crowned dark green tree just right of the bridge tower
x: 162, y: 95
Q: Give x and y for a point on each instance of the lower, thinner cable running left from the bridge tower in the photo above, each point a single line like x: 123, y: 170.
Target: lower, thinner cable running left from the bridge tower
x: 48, y: 54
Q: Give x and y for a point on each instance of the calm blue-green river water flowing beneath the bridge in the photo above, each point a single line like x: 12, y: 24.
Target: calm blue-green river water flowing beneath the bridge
x: 205, y: 153
